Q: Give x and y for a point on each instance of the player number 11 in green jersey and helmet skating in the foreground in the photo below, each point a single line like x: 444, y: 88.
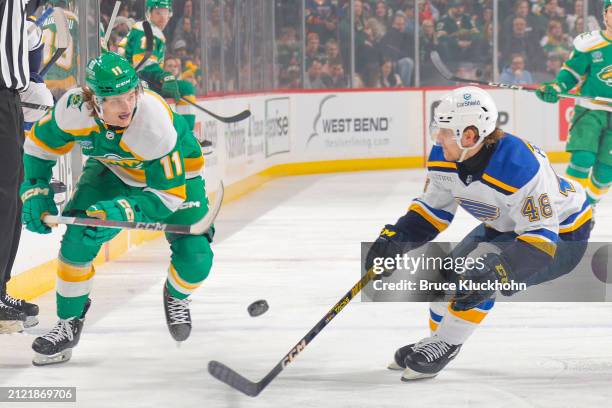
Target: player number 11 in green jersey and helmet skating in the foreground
x: 144, y: 165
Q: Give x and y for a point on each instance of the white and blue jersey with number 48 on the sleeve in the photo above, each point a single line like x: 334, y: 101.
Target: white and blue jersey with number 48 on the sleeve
x: 518, y: 192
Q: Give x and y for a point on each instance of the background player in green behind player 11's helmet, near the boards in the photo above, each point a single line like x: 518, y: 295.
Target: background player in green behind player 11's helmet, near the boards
x: 163, y: 82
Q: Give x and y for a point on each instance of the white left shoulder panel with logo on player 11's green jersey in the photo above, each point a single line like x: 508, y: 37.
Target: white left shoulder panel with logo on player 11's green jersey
x: 72, y: 114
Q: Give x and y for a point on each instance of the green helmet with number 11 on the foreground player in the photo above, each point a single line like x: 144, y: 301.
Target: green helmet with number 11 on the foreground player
x: 110, y: 74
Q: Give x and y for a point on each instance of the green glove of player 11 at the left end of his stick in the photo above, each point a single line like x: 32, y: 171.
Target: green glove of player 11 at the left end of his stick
x: 37, y: 197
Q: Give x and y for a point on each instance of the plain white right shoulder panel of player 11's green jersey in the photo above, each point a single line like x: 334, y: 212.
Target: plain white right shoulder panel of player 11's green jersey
x: 151, y: 134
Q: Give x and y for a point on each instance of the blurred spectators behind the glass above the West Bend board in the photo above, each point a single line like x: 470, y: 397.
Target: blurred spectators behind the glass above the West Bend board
x: 534, y: 38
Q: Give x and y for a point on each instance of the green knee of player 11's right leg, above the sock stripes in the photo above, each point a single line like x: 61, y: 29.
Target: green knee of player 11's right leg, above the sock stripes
x: 192, y: 256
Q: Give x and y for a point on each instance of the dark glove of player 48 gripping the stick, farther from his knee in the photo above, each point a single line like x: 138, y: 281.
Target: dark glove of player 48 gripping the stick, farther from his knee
x: 390, y: 242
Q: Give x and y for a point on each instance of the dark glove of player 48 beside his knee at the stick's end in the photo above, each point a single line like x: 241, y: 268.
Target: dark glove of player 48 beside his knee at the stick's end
x: 492, y: 268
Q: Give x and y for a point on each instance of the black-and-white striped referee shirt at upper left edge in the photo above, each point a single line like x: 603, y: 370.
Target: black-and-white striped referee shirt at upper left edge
x: 14, y: 65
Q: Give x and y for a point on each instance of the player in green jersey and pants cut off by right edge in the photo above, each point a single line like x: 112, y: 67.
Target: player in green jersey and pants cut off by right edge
x: 589, y: 68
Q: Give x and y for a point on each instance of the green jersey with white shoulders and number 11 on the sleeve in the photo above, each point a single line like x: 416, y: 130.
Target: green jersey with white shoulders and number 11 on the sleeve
x: 157, y: 152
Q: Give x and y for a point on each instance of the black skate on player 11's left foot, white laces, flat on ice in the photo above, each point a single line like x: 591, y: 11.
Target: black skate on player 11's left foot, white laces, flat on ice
x: 56, y: 346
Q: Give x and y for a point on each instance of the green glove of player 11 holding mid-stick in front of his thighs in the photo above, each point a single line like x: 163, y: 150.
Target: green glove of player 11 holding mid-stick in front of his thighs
x: 119, y: 209
